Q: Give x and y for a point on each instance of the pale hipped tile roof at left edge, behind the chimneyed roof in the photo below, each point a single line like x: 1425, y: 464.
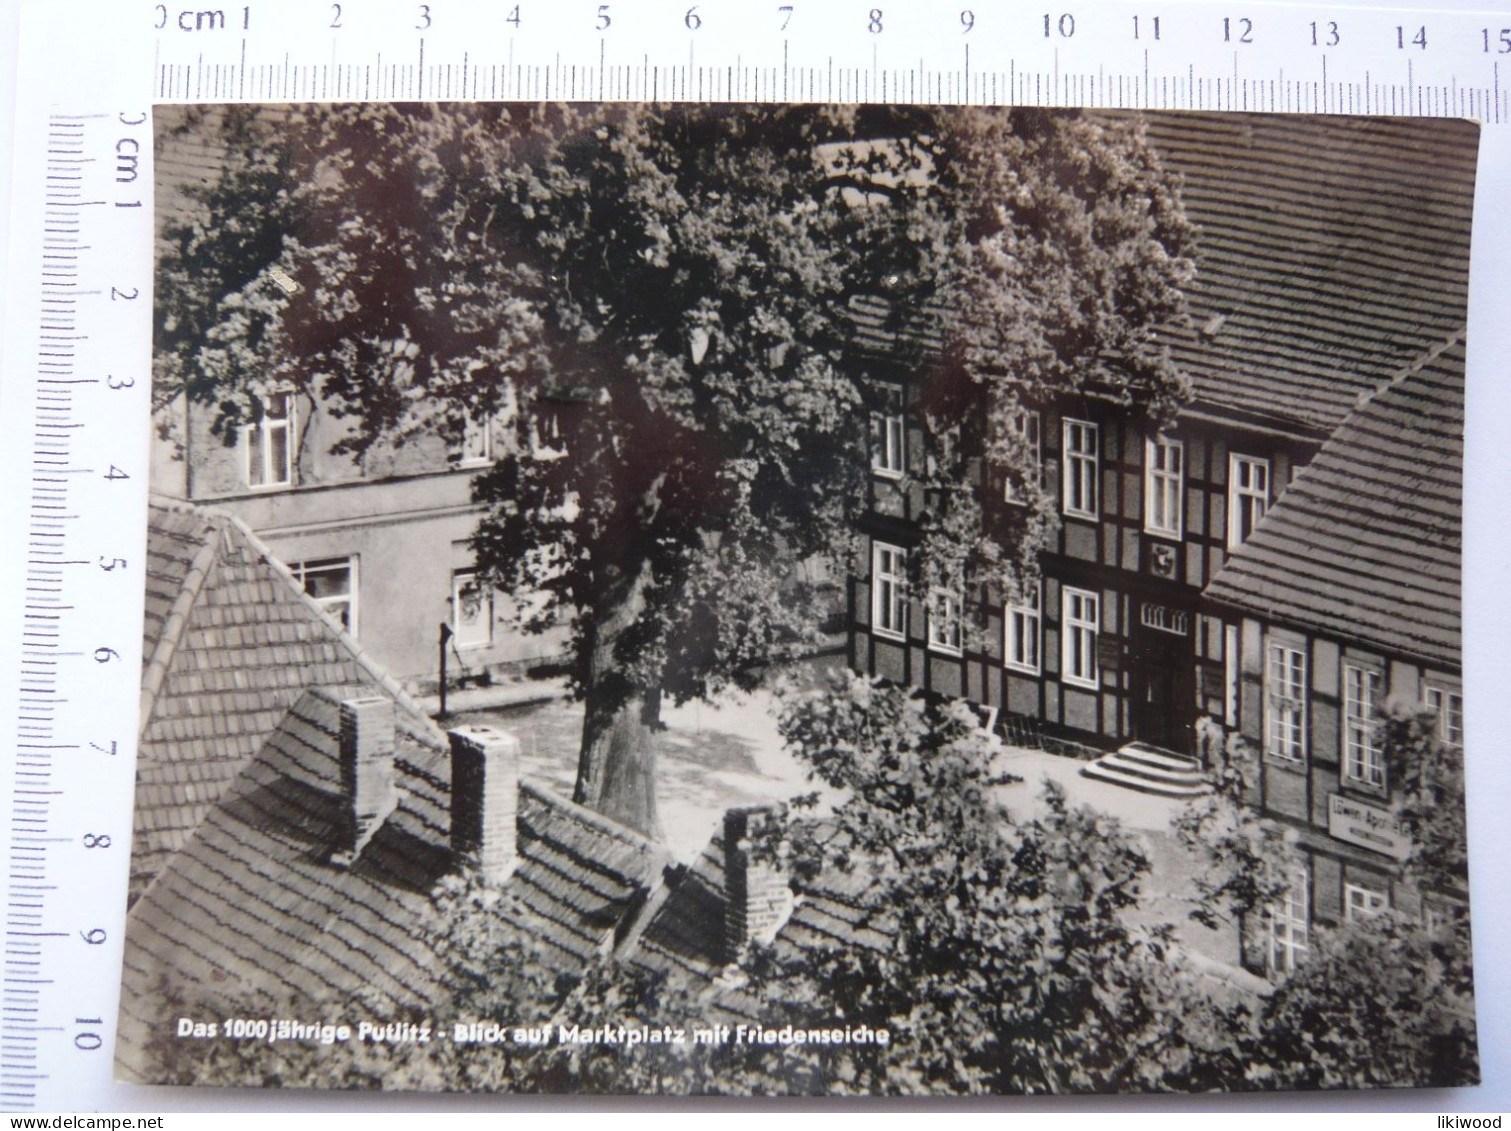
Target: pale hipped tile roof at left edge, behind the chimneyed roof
x: 229, y: 644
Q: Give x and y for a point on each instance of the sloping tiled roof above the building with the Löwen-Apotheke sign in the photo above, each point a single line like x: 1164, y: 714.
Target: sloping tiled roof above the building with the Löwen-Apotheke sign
x: 1365, y: 543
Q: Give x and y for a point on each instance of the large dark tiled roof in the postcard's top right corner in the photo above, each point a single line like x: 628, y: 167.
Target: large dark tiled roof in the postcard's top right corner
x: 1332, y: 253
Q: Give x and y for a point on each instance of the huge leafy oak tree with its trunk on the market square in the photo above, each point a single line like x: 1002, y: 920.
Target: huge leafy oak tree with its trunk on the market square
x: 663, y: 294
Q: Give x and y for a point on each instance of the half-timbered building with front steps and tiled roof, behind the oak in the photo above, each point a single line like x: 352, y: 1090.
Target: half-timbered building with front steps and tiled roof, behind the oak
x: 1327, y: 267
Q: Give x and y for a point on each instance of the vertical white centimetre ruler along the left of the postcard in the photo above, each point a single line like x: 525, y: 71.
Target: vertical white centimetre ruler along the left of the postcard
x: 78, y: 372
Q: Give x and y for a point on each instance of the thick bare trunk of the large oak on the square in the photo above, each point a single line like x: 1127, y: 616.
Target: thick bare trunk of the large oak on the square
x: 617, y: 763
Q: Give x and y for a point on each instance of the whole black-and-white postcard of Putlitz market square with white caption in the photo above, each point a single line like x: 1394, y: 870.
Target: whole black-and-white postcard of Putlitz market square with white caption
x: 803, y: 600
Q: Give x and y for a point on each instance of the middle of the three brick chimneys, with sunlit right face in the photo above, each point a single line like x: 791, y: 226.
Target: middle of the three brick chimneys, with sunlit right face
x: 486, y: 798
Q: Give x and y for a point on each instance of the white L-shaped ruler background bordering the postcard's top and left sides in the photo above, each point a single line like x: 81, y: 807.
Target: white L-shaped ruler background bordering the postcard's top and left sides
x: 75, y: 402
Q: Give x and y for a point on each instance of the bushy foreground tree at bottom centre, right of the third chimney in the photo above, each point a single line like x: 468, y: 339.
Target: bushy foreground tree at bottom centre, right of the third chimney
x: 997, y: 949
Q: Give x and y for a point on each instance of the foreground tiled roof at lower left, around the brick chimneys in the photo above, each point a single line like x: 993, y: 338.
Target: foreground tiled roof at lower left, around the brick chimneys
x: 253, y: 910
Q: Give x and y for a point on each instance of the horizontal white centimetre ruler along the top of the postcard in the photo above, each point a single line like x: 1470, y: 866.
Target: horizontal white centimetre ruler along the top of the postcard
x: 1108, y: 54
